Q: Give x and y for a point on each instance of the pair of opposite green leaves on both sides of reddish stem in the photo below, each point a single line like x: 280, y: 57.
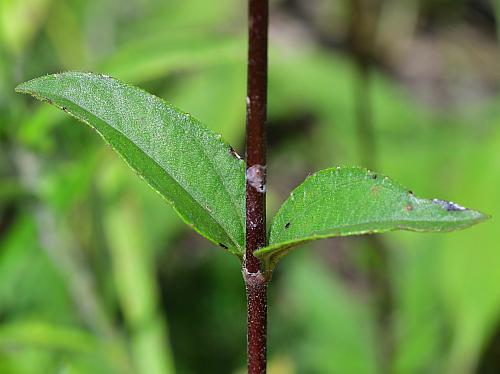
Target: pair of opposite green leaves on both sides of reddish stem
x: 204, y: 180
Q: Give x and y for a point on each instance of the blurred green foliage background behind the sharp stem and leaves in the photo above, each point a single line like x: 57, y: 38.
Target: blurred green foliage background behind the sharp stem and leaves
x: 98, y: 275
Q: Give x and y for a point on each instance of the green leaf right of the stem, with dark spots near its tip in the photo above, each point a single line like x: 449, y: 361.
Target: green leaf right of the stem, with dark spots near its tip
x: 352, y: 201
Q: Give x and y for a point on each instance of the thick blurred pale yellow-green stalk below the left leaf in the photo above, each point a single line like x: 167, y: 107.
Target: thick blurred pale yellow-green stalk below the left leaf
x: 134, y: 274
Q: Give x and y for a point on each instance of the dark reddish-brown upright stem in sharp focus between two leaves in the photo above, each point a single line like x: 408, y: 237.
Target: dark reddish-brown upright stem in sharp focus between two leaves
x: 256, y: 282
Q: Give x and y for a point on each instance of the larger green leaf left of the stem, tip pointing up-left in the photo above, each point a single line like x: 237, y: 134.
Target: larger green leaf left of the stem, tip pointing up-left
x: 174, y: 153
